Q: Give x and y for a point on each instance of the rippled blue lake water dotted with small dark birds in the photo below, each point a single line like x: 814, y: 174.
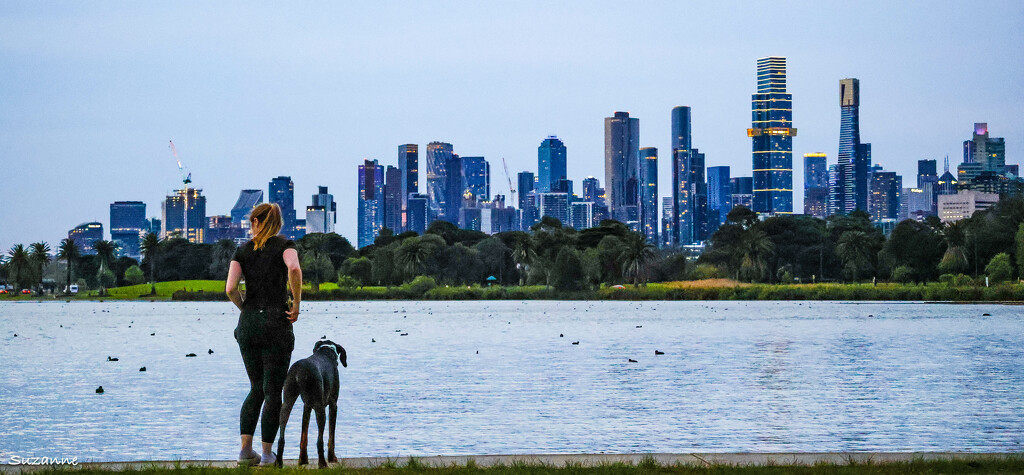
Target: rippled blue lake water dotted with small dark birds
x: 735, y: 377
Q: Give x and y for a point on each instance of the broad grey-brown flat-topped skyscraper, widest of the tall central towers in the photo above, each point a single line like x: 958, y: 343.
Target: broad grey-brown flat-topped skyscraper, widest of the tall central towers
x: 622, y: 175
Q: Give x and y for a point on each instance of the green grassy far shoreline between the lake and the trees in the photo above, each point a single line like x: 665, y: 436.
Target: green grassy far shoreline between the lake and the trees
x: 691, y: 290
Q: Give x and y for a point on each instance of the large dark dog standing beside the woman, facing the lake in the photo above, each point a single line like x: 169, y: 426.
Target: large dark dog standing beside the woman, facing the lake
x: 316, y: 379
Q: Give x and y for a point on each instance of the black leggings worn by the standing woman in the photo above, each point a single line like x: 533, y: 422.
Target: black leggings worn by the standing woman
x: 267, y: 346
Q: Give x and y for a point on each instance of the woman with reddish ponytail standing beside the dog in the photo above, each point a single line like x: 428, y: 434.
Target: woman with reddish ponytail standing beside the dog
x: 271, y: 266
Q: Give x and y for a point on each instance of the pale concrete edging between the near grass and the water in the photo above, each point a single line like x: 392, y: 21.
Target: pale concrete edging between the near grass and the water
x: 563, y: 460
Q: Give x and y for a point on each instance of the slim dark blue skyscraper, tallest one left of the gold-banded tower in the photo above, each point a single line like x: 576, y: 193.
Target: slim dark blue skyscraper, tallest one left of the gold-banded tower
x: 682, y: 214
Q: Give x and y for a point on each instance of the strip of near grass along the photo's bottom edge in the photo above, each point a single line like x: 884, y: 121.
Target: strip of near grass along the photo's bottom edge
x: 966, y: 465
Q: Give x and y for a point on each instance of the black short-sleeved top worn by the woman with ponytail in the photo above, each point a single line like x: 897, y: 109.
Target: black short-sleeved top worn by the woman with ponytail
x: 266, y: 274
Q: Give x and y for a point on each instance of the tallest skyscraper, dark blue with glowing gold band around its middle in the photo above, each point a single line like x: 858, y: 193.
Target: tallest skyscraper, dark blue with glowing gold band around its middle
x: 772, y: 134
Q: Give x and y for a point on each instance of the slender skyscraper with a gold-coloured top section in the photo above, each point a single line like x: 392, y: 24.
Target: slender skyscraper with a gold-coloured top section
x: 855, y: 157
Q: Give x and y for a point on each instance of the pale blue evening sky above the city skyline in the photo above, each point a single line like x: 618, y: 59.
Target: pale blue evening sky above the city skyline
x: 92, y: 93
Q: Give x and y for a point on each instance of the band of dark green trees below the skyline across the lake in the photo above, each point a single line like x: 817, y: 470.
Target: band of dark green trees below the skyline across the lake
x: 779, y: 249
